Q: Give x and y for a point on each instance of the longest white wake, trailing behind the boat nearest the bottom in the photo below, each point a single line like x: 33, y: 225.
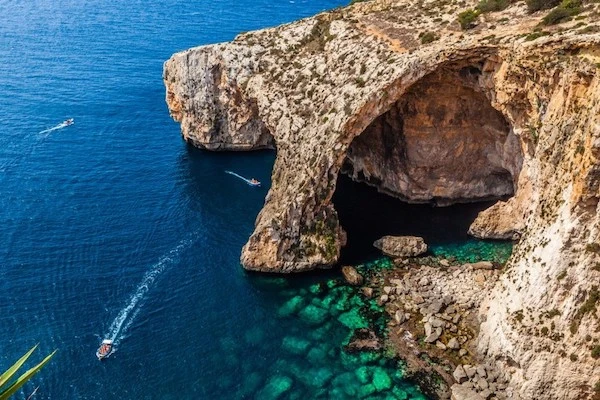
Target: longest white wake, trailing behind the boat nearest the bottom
x: 123, y: 321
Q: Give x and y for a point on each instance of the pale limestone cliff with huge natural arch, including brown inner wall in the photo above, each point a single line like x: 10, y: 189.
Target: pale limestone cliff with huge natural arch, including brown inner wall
x: 475, y: 114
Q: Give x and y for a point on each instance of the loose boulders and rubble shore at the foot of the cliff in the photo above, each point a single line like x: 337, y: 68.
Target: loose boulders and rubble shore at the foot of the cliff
x: 432, y: 304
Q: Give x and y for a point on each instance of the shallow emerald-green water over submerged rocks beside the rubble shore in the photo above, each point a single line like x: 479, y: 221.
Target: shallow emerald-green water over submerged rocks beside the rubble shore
x: 316, y: 315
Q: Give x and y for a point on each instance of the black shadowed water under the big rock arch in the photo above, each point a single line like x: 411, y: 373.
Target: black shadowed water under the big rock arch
x: 366, y: 215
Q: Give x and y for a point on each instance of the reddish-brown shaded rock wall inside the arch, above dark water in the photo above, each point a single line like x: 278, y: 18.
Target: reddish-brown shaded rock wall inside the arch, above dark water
x: 442, y: 141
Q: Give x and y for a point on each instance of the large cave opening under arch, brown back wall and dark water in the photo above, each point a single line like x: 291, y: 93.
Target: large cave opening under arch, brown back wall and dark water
x: 442, y: 143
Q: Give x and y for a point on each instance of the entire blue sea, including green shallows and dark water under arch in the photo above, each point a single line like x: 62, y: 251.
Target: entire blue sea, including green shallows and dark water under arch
x: 113, y: 227
